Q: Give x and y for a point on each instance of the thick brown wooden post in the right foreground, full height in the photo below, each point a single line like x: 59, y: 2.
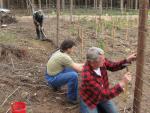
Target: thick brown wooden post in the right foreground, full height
x: 142, y: 32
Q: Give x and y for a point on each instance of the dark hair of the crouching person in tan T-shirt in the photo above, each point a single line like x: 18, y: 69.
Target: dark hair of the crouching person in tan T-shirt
x: 66, y: 44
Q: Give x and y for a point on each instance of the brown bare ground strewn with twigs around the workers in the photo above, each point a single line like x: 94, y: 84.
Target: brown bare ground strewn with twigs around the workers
x: 23, y: 60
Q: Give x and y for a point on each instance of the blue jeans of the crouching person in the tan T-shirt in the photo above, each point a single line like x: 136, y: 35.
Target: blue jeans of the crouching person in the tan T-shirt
x: 67, y: 76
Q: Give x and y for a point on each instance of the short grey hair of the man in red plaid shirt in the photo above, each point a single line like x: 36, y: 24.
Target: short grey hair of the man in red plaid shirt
x: 93, y: 53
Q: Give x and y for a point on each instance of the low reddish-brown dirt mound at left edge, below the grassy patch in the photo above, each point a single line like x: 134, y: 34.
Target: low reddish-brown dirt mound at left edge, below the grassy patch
x: 6, y: 50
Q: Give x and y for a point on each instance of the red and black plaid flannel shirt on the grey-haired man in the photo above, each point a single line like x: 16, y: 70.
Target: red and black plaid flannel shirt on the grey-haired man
x: 94, y: 88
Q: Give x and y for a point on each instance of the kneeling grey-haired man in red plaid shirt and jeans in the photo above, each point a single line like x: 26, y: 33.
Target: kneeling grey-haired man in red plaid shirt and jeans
x: 95, y: 94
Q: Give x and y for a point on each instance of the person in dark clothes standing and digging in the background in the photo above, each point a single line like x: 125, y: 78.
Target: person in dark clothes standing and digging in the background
x: 38, y: 18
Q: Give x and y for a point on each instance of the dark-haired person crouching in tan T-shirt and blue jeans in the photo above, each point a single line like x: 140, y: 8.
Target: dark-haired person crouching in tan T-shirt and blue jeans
x: 61, y: 70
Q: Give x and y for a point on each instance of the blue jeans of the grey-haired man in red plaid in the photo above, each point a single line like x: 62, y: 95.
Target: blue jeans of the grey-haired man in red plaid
x: 102, y: 107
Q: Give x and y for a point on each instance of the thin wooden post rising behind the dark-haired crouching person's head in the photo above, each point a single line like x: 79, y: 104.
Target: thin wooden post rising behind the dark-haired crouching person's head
x: 58, y: 16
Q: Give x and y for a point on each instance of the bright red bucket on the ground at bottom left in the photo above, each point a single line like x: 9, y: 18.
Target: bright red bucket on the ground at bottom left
x: 18, y: 107
